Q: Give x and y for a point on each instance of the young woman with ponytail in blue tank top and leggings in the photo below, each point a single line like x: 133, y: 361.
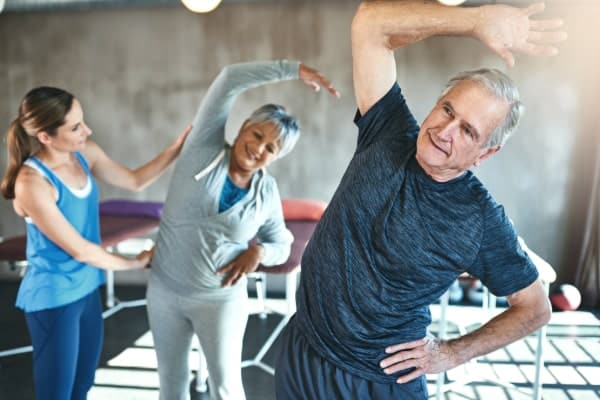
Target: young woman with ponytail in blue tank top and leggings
x: 50, y: 178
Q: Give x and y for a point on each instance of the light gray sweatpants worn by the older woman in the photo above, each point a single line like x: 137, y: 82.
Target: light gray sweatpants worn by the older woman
x: 220, y: 326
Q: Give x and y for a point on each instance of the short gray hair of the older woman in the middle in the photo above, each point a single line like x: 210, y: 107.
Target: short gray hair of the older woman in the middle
x: 289, y: 129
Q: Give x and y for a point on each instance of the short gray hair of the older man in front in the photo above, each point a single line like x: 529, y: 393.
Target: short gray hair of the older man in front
x: 500, y: 85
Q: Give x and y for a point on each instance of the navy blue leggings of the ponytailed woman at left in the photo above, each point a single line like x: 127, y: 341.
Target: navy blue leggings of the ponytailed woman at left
x: 67, y: 342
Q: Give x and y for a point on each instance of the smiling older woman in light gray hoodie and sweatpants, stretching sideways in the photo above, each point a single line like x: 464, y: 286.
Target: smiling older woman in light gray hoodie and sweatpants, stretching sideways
x: 220, y: 197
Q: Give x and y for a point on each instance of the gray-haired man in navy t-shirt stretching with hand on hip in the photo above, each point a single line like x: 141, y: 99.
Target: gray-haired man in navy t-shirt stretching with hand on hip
x: 409, y: 217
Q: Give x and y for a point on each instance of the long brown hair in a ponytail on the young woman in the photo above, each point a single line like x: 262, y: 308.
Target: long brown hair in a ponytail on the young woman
x: 43, y: 109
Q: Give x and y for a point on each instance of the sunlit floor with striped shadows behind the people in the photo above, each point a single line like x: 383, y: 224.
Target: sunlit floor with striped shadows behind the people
x: 128, y: 364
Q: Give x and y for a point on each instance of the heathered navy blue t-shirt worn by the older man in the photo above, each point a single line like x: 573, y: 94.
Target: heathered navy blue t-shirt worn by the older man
x: 392, y: 241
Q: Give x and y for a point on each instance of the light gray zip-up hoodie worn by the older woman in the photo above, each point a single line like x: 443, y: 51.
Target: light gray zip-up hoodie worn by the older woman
x: 194, y: 239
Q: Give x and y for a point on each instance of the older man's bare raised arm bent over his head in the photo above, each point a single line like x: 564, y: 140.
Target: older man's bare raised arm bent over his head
x: 380, y: 27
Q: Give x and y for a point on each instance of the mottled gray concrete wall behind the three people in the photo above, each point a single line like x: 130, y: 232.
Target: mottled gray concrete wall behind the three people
x: 140, y: 74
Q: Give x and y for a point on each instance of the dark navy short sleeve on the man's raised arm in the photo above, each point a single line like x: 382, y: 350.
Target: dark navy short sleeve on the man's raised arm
x: 390, y: 117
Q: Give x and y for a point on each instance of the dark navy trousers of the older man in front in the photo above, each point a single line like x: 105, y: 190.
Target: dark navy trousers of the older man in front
x: 302, y: 374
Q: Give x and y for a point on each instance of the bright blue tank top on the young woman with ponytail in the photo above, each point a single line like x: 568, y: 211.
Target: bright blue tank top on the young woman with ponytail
x: 53, y: 277
